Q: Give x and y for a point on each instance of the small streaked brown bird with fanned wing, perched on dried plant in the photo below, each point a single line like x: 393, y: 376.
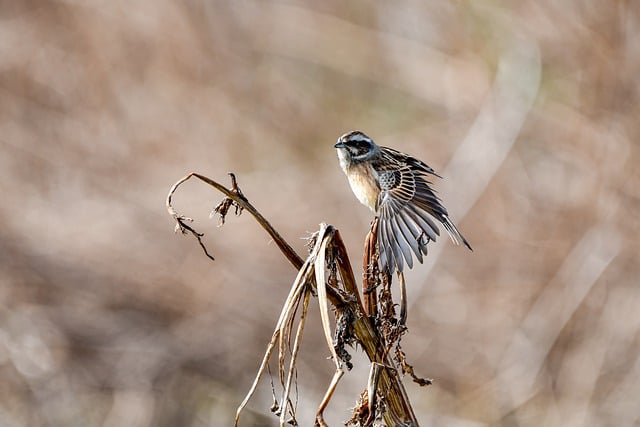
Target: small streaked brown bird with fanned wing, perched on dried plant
x: 396, y: 187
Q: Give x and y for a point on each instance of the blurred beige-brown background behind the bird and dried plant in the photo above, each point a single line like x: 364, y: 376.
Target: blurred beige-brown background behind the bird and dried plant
x: 529, y: 110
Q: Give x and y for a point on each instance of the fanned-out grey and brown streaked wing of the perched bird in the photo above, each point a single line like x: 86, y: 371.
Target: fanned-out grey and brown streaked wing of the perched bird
x: 406, y: 207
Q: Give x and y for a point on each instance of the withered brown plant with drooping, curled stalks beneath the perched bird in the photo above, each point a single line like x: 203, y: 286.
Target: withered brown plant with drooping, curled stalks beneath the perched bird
x: 386, y: 394
